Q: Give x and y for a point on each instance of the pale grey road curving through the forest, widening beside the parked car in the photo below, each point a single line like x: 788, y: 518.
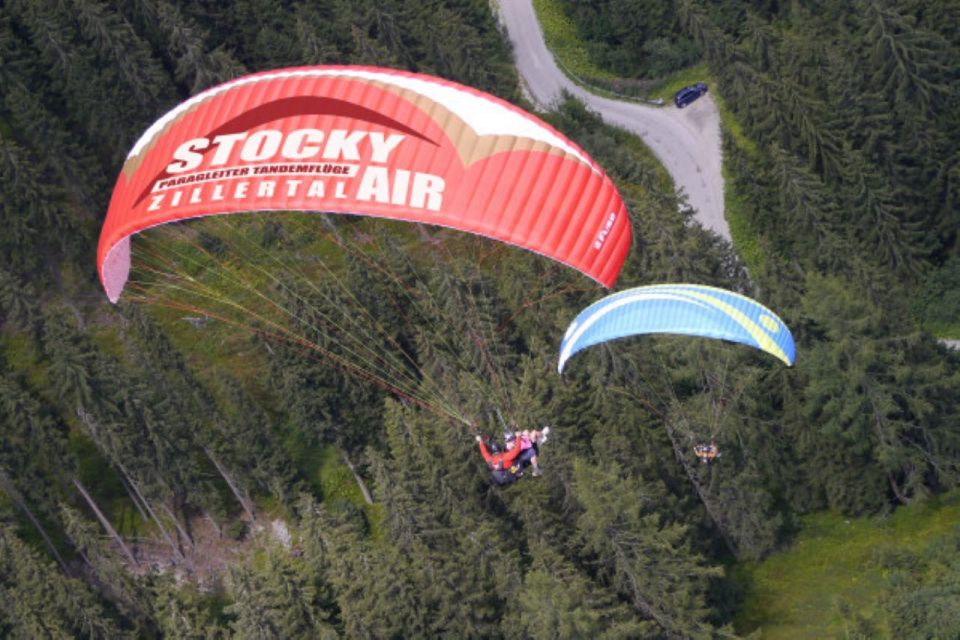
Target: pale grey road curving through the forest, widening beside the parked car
x: 686, y: 141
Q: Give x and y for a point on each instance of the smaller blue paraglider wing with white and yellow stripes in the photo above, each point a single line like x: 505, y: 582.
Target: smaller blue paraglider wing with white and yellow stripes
x: 684, y: 309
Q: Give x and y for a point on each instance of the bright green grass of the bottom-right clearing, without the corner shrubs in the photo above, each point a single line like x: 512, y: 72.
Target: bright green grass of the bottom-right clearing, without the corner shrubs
x: 834, y: 562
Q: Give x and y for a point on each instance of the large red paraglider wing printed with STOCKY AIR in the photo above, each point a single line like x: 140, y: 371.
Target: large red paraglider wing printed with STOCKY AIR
x: 373, y: 142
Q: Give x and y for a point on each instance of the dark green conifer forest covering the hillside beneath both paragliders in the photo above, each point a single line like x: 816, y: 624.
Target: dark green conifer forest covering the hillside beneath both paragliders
x: 183, y: 464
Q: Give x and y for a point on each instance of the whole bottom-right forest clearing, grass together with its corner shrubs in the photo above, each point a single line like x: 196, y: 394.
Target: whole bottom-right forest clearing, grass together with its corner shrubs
x: 839, y: 571
